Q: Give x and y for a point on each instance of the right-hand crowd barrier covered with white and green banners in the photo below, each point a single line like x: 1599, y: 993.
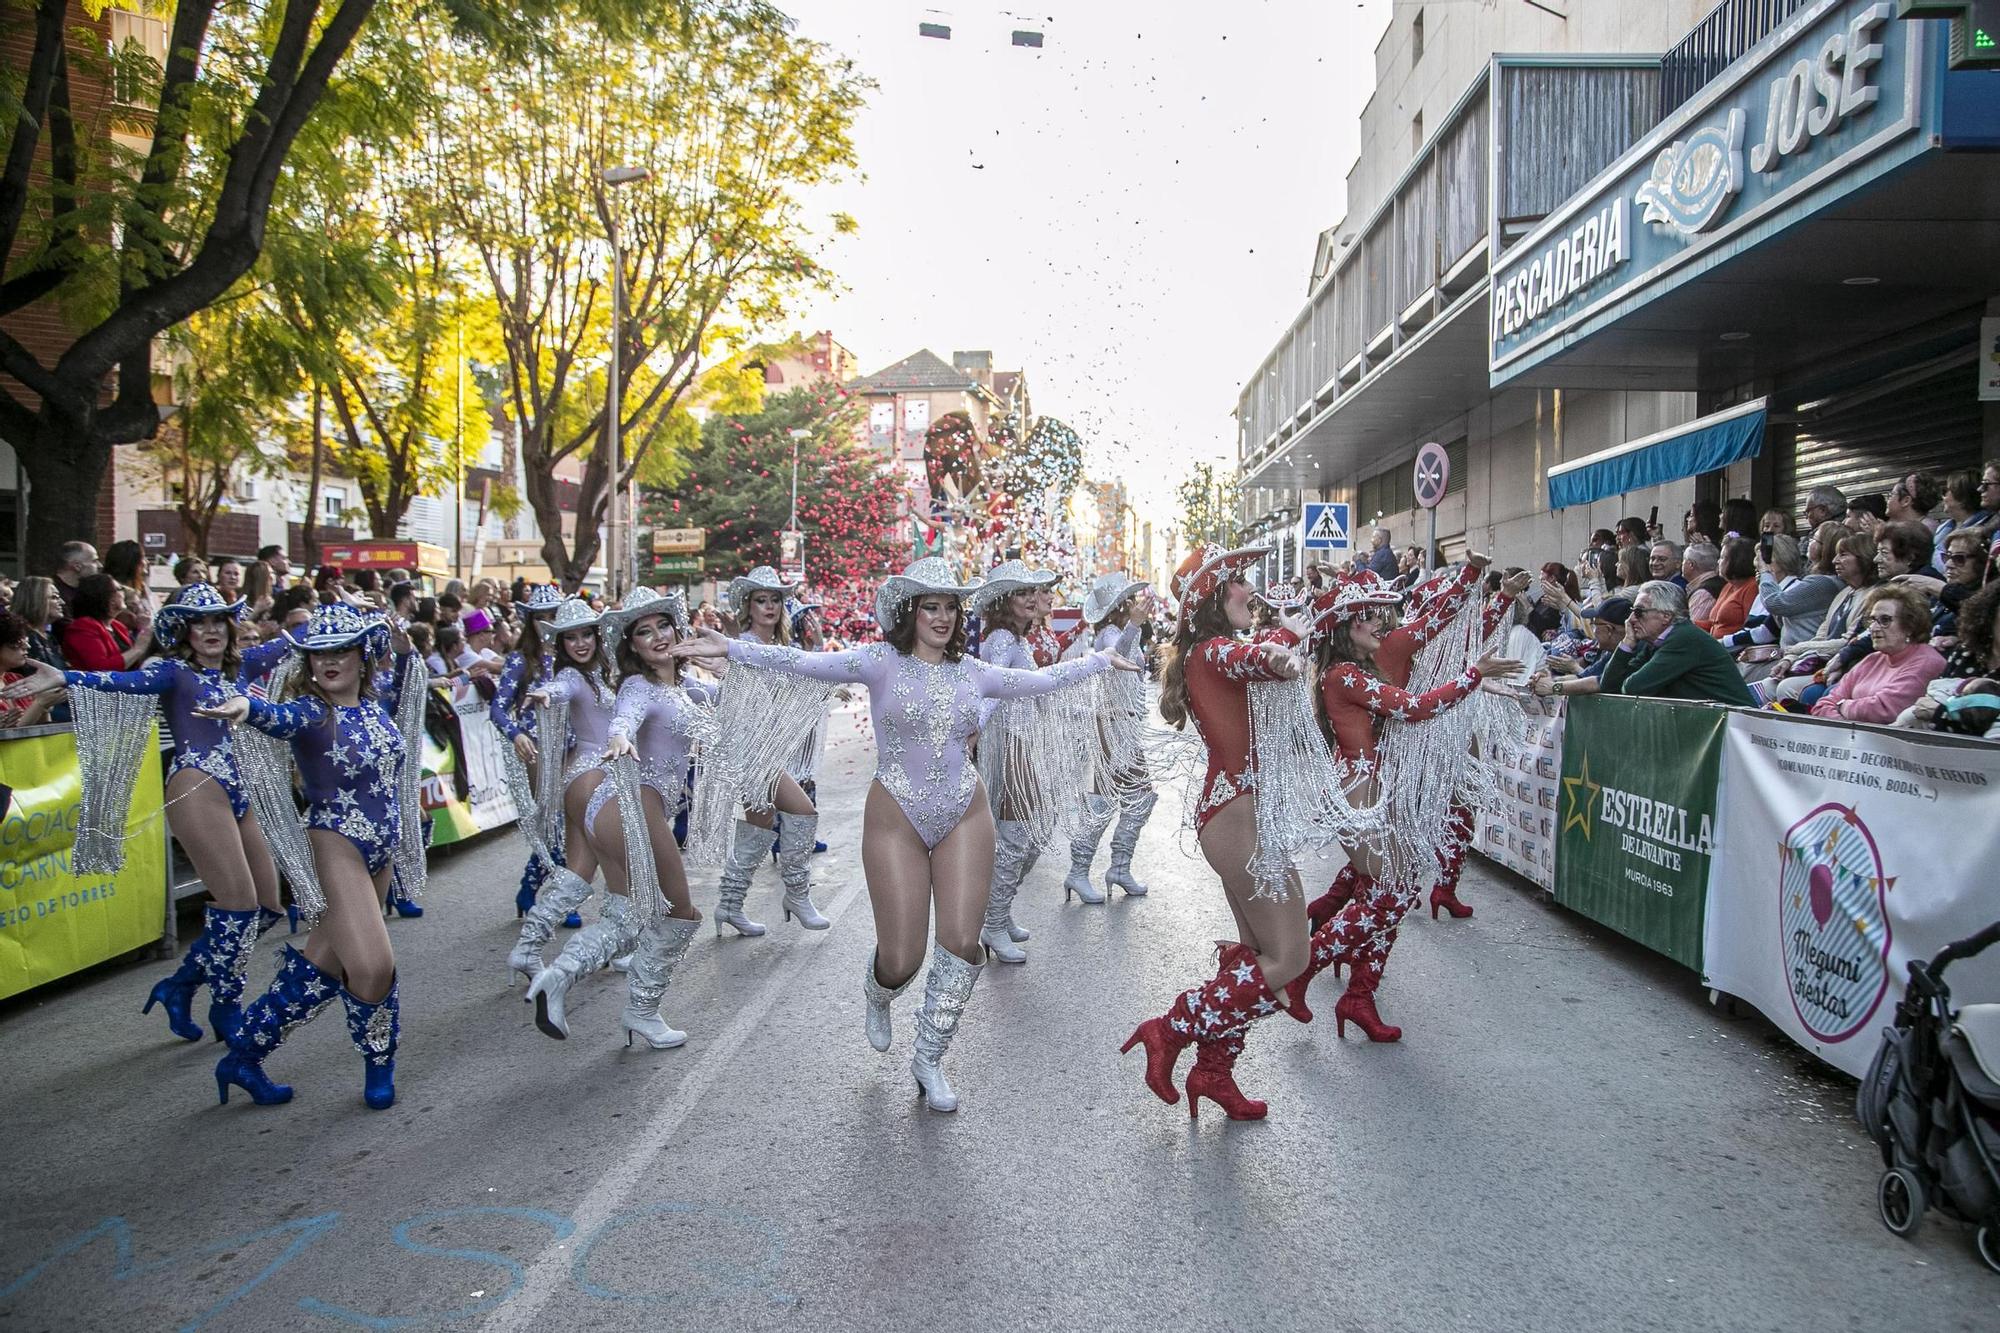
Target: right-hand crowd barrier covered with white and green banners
x: 1797, y: 864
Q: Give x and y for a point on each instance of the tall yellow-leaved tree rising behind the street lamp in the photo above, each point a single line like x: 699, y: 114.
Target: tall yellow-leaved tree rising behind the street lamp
x: 733, y: 119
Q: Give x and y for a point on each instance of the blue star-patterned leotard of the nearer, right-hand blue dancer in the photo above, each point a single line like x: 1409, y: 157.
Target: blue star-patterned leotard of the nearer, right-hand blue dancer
x: 347, y: 770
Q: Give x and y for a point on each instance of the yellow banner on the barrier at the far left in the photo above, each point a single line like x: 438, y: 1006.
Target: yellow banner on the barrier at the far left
x: 53, y: 922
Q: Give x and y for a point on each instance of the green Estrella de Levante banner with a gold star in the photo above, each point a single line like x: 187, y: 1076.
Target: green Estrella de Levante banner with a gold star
x: 1639, y: 818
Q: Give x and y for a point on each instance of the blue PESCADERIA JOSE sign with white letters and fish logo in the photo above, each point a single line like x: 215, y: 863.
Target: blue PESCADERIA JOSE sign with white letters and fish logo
x: 1823, y: 105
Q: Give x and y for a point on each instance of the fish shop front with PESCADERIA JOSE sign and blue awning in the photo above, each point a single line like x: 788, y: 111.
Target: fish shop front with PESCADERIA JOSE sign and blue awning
x: 1809, y: 245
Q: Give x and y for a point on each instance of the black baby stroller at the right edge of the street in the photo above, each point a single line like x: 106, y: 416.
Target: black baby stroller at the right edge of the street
x: 1933, y: 1104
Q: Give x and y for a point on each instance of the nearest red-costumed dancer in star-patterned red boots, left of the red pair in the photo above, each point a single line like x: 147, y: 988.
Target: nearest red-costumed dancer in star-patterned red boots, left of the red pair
x: 1207, y: 680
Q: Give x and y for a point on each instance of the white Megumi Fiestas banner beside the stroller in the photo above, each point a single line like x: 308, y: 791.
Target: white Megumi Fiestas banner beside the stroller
x: 1849, y: 852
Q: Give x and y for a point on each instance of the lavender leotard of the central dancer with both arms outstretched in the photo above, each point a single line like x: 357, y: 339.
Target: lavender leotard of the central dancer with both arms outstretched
x: 923, y: 716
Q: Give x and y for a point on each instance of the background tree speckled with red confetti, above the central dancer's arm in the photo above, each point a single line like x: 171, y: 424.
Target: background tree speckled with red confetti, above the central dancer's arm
x: 739, y: 487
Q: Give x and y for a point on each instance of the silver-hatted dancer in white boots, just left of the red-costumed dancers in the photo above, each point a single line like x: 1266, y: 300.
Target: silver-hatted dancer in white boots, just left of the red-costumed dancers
x: 1117, y: 609
